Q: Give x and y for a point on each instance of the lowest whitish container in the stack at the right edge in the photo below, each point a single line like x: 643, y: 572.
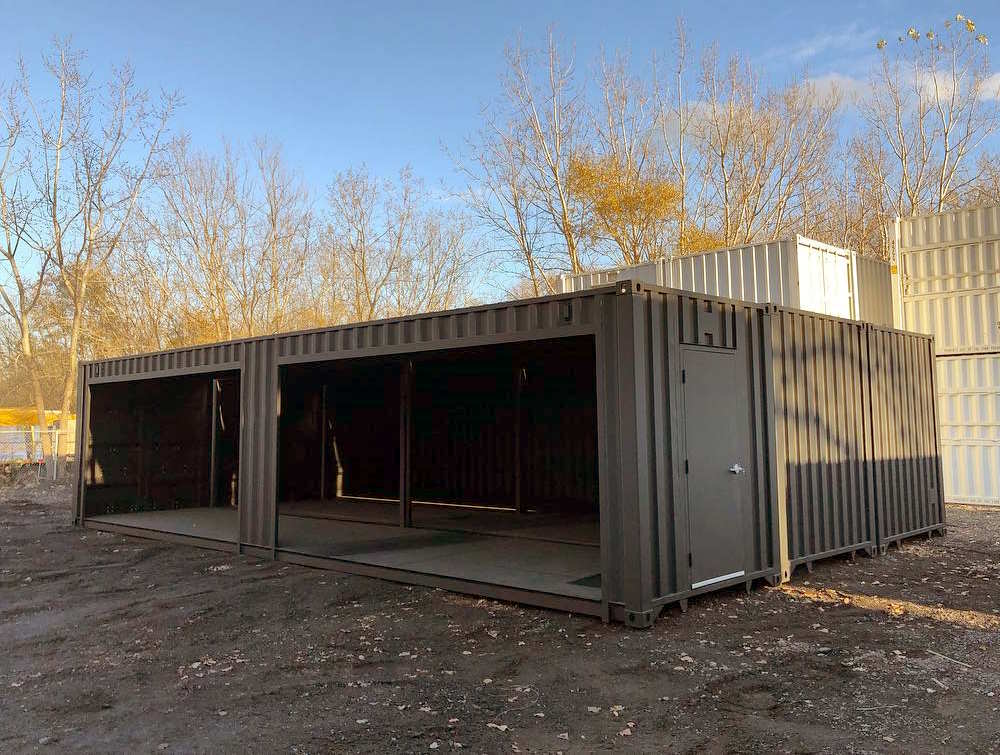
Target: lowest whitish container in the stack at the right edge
x: 969, y: 400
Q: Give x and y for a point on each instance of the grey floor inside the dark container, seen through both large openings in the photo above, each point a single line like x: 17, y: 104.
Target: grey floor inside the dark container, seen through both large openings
x: 566, y: 569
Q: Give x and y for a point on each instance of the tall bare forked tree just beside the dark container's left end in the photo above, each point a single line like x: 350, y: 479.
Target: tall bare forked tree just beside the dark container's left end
x: 95, y: 150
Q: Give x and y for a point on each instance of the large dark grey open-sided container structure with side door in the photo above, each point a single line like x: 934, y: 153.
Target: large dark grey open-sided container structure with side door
x: 733, y: 441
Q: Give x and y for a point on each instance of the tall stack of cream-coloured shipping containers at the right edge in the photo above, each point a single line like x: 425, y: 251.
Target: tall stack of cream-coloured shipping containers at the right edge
x: 947, y: 284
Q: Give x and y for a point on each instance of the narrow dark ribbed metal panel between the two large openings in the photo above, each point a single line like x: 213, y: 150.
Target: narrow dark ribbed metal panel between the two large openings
x: 258, y: 444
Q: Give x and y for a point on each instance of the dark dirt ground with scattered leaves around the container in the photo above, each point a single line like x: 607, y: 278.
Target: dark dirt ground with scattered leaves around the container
x: 120, y: 644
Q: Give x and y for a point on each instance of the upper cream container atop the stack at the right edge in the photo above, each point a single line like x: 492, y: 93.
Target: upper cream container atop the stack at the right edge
x: 948, y: 278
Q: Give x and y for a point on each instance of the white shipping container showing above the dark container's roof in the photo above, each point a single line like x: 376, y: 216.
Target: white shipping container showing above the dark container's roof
x: 796, y: 272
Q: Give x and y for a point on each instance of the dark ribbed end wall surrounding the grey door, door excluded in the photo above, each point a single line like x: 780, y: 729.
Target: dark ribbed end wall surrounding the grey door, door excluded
x: 661, y: 323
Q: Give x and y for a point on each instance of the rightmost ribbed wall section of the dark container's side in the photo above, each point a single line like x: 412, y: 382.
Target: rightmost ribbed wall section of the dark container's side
x: 908, y: 487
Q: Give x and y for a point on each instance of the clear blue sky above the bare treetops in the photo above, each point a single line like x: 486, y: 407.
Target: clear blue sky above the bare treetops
x: 338, y: 84
